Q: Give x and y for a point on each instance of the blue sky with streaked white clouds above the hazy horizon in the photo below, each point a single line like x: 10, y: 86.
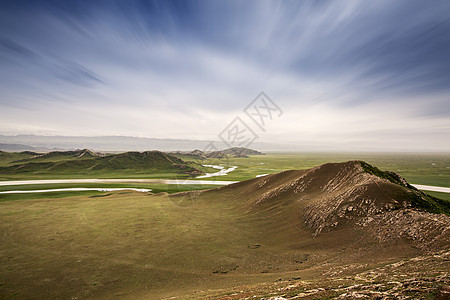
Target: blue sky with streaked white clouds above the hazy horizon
x: 345, y: 75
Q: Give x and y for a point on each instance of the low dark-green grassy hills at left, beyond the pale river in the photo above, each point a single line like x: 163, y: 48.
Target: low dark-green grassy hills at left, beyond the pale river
x: 85, y: 162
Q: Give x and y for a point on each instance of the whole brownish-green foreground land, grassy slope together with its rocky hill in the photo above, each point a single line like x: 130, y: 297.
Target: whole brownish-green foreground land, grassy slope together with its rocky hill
x: 296, y: 228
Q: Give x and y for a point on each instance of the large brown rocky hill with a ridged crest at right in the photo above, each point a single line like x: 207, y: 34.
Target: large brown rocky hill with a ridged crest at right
x: 336, y: 197
